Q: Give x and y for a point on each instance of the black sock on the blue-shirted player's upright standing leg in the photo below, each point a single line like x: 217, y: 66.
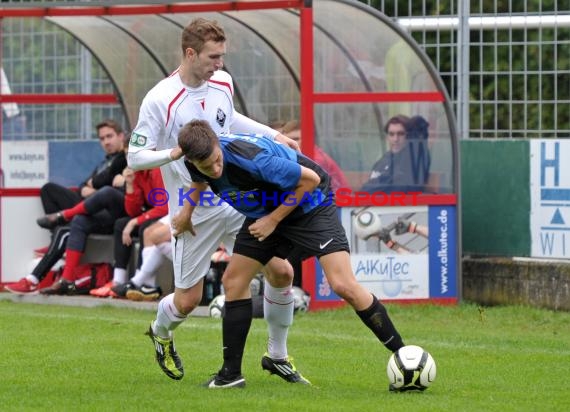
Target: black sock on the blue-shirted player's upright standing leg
x: 235, y: 327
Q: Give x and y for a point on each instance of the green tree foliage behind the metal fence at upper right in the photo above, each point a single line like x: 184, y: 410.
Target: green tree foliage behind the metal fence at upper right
x: 519, y: 78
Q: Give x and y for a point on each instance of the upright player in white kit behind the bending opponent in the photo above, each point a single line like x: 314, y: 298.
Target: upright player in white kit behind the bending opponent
x: 198, y: 89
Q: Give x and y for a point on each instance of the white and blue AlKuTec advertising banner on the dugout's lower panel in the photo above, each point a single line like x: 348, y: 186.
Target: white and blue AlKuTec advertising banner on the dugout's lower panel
x: 400, y: 253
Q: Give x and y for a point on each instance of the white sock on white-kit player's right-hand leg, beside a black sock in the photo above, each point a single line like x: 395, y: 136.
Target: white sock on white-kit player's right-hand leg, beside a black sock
x: 278, y: 304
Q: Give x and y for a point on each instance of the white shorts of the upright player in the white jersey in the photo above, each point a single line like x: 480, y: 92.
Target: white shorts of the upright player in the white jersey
x: 192, y: 254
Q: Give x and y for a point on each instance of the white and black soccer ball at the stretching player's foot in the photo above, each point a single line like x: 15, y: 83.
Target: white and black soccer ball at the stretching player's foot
x: 411, y: 368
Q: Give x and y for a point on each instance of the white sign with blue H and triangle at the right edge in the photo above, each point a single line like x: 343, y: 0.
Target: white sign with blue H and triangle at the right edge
x: 550, y: 198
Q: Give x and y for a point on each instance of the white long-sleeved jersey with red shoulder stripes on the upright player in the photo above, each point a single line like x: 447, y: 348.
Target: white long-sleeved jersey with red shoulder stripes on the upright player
x: 166, y: 108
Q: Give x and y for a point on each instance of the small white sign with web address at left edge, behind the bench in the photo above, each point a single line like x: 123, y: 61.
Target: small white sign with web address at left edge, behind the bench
x: 25, y: 163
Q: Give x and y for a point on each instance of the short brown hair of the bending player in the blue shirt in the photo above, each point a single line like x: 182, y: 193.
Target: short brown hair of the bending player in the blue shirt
x: 197, y: 140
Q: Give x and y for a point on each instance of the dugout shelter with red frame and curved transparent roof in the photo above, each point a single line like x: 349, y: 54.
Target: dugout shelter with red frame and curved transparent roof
x: 340, y: 67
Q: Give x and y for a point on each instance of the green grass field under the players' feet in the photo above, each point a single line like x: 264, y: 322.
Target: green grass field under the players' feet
x: 85, y: 359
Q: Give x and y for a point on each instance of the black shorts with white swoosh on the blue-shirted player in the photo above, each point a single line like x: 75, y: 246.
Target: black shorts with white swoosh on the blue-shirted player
x: 316, y: 233
